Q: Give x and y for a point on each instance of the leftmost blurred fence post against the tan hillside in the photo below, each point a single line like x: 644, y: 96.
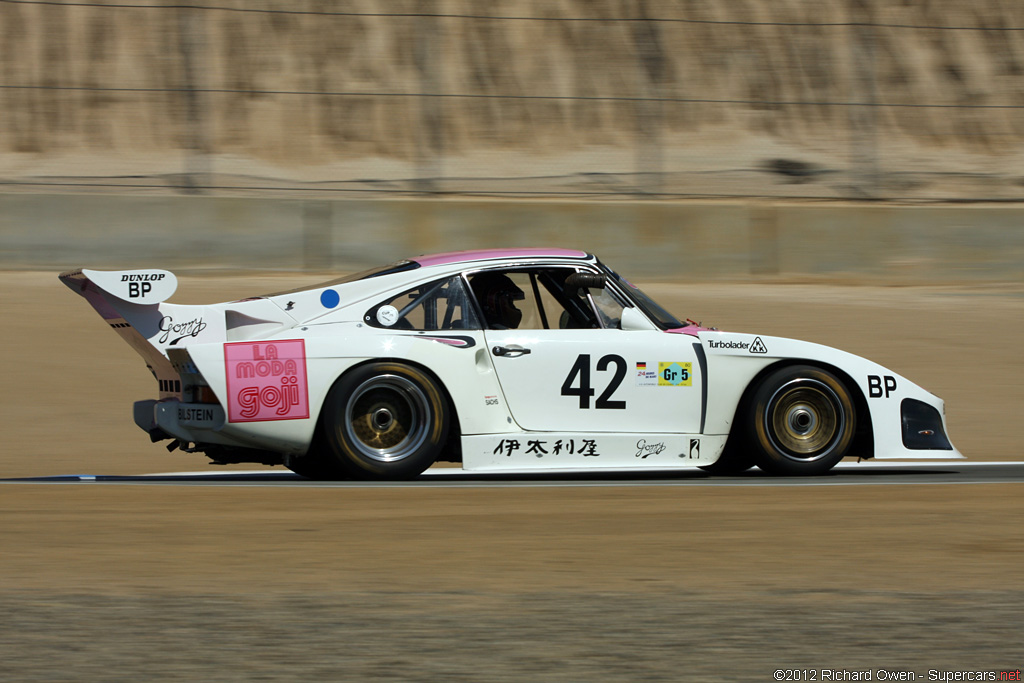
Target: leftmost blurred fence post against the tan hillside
x: 192, y: 42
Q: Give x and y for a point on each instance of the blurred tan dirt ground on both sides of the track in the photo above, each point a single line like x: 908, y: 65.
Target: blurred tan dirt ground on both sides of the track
x: 120, y: 583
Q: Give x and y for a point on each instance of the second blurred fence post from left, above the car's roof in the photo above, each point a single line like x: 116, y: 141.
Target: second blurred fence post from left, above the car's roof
x: 431, y: 136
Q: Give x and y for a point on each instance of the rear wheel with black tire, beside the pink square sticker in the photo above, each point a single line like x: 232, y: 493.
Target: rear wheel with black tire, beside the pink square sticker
x: 386, y: 421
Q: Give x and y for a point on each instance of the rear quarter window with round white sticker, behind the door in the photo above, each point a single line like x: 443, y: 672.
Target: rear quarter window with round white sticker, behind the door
x: 440, y: 306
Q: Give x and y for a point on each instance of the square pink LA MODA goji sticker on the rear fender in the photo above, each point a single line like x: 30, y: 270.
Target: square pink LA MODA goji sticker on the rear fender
x: 267, y: 381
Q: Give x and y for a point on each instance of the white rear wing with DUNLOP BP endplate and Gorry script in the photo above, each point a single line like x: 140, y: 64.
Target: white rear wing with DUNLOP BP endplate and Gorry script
x: 134, y: 304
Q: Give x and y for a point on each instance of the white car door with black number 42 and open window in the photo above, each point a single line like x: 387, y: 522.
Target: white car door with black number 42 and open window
x: 568, y: 367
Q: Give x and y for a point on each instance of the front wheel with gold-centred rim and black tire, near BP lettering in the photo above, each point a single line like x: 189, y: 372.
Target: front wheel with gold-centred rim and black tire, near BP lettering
x: 800, y: 421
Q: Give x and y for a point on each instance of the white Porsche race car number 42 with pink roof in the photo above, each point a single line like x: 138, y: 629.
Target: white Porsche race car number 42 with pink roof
x: 499, y: 360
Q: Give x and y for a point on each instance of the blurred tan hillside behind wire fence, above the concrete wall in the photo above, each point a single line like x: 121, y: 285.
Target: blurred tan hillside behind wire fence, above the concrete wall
x: 823, y: 100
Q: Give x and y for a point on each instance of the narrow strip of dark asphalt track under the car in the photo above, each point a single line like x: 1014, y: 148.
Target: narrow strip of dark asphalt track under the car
x: 845, y: 475
